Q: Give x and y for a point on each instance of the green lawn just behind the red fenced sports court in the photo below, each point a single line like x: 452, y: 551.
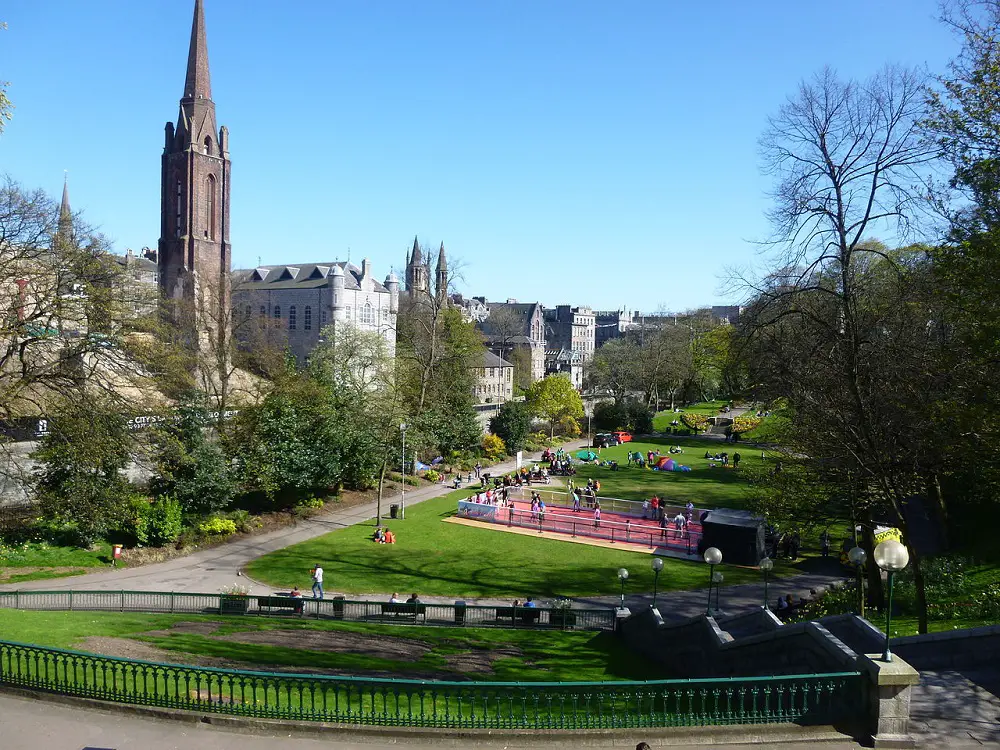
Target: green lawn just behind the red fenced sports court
x: 705, y: 486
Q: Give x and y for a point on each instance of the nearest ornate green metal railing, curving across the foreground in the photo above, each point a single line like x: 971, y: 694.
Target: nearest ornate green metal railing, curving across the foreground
x: 812, y: 699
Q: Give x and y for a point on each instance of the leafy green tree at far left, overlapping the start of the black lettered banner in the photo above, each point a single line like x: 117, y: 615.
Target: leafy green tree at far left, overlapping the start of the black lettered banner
x: 81, y: 461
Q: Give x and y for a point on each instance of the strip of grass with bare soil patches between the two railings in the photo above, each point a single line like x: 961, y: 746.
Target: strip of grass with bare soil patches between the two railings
x: 408, y: 651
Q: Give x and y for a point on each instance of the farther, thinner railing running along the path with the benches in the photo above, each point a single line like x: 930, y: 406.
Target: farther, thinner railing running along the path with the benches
x: 336, y: 608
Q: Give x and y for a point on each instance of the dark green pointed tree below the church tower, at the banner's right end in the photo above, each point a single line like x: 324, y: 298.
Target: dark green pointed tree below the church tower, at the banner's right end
x: 191, y: 468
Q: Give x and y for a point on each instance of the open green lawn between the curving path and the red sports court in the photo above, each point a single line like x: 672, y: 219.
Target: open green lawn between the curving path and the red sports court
x: 443, y: 559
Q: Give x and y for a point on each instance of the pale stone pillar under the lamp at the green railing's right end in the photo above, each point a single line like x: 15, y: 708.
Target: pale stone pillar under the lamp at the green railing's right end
x: 889, y: 700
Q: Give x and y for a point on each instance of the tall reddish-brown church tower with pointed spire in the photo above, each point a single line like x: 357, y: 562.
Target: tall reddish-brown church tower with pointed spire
x: 194, y: 249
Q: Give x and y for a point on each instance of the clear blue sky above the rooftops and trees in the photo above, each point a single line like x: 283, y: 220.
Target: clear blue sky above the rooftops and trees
x: 599, y: 153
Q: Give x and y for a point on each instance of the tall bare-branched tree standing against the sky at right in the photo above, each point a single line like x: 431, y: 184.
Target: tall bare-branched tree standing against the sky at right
x: 848, y: 160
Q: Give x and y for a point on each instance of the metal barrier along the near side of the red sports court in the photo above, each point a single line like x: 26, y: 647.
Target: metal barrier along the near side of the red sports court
x: 562, y: 520
